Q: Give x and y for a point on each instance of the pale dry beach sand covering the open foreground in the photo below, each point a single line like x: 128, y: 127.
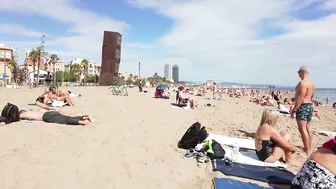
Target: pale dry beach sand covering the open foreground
x: 132, y: 143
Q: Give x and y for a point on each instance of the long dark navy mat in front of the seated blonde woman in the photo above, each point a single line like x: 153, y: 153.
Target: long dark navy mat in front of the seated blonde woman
x: 272, y: 175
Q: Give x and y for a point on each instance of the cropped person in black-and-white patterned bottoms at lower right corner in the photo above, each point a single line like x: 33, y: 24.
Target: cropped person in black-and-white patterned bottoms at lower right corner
x: 319, y: 171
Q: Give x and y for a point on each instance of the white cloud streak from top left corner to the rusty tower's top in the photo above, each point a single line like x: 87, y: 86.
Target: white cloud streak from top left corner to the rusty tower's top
x: 87, y: 27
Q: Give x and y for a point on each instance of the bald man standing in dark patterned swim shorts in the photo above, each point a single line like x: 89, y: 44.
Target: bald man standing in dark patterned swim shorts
x: 303, y: 108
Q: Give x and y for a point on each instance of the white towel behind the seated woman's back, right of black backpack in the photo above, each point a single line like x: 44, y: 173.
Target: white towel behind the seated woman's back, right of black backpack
x: 242, y: 143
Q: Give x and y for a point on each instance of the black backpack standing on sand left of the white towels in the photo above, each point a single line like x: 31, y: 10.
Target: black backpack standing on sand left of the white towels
x: 194, y: 135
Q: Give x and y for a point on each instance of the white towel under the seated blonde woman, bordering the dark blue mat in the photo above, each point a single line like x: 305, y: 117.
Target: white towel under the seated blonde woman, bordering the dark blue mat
x: 251, y: 158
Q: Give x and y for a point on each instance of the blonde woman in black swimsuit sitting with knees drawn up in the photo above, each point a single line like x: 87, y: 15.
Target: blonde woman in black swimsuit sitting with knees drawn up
x: 270, y: 144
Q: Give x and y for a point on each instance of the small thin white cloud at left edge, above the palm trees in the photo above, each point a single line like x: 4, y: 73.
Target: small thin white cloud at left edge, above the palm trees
x: 18, y: 30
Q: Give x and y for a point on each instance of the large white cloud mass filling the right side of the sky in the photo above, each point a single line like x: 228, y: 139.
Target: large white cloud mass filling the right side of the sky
x: 227, y: 34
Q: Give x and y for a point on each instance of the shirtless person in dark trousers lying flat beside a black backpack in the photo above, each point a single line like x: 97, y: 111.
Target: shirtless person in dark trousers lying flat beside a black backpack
x: 54, y: 117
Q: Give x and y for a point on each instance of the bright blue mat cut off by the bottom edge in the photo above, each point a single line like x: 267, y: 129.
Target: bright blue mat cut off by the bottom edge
x: 226, y: 183
